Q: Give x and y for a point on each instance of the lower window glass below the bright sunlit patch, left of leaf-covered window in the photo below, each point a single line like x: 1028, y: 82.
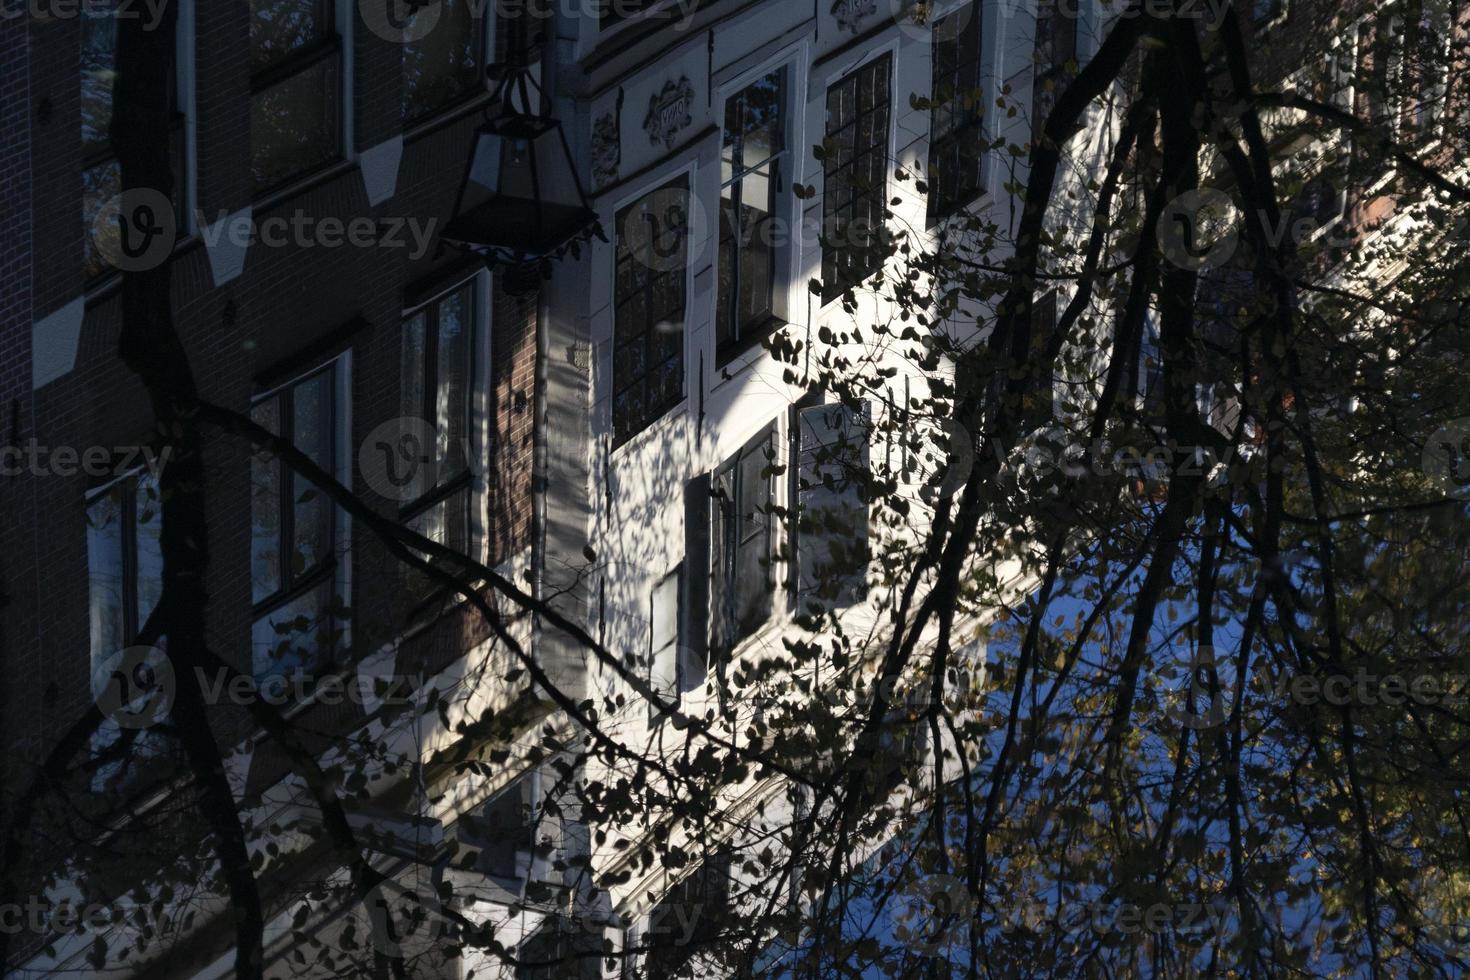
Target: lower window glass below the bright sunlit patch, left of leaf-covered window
x: 743, y: 493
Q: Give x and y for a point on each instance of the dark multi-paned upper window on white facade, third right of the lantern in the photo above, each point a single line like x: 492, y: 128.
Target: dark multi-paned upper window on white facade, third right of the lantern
x: 856, y: 177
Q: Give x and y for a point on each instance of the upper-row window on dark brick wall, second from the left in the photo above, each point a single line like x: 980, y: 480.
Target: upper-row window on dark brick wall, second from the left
x: 296, y: 64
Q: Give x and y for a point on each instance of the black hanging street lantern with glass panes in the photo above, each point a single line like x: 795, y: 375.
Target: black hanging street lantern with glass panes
x: 521, y: 202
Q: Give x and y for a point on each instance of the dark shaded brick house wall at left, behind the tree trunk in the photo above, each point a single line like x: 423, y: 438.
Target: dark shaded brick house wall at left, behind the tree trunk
x: 257, y: 314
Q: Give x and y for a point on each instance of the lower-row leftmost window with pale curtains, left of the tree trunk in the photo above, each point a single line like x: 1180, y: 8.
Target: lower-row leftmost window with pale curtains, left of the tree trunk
x: 124, y: 586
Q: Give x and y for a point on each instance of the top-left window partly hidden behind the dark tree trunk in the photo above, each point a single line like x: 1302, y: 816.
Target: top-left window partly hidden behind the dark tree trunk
x: 102, y: 179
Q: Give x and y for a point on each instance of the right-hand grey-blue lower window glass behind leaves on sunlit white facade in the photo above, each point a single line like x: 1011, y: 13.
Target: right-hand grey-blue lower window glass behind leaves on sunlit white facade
x: 831, y: 505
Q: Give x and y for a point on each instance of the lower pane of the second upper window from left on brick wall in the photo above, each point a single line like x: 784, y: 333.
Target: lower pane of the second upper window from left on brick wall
x: 295, y: 126
